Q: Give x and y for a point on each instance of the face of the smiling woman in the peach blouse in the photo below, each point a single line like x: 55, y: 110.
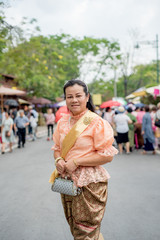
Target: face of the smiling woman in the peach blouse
x: 76, y: 99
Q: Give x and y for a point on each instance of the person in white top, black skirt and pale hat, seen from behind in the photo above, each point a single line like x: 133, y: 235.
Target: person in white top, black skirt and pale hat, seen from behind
x: 122, y: 120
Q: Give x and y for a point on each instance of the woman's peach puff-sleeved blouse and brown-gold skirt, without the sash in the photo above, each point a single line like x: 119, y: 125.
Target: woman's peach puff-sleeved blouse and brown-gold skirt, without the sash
x: 84, y: 212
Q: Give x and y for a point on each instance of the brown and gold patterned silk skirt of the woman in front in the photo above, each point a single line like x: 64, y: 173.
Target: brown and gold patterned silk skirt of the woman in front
x: 84, y: 213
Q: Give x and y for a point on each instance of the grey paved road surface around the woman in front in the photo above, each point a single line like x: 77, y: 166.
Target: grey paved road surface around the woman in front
x: 30, y: 211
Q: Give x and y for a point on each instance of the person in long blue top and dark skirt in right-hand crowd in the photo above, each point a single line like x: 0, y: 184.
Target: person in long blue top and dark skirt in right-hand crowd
x: 147, y: 132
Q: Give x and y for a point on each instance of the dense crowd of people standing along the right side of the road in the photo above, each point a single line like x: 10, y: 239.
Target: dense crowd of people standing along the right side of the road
x: 134, y: 127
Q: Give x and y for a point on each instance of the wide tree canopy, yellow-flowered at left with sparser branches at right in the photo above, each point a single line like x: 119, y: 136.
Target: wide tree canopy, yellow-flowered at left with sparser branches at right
x: 43, y: 64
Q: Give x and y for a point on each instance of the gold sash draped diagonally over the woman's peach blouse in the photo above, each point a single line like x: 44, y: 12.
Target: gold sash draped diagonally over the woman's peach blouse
x: 72, y: 136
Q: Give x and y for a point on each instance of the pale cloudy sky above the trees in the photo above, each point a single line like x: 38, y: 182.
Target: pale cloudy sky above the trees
x: 126, y: 21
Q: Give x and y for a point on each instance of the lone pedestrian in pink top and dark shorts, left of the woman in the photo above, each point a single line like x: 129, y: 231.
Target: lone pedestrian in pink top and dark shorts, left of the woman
x: 50, y: 121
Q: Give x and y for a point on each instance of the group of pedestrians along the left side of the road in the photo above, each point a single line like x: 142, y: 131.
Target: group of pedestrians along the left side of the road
x: 18, y: 123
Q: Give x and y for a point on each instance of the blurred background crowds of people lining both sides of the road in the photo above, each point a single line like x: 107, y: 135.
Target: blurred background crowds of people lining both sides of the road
x: 134, y: 127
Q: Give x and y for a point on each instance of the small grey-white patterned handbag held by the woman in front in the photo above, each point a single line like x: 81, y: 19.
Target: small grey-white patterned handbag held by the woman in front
x: 65, y: 186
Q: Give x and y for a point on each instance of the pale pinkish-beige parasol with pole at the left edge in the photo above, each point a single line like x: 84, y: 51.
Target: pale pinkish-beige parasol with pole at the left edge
x: 4, y: 91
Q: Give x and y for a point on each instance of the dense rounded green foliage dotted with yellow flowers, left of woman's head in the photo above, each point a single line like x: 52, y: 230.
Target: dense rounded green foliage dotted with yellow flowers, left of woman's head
x: 41, y: 65
